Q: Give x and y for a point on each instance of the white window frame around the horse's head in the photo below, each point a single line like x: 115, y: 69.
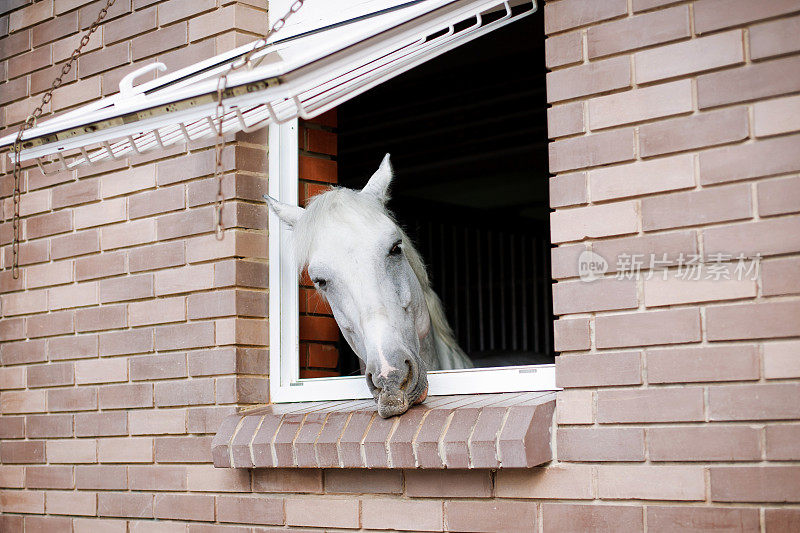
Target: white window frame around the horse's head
x: 284, y: 311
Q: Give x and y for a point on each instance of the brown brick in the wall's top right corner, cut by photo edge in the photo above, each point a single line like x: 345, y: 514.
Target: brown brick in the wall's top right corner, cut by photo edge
x: 719, y: 14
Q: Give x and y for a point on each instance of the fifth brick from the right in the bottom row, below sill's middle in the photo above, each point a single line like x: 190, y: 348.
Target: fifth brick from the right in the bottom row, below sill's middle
x: 418, y: 515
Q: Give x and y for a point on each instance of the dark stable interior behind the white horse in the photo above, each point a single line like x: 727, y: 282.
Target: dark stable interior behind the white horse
x: 468, y: 136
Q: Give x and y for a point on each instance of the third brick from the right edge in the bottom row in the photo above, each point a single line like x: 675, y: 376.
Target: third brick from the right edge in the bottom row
x: 598, y: 518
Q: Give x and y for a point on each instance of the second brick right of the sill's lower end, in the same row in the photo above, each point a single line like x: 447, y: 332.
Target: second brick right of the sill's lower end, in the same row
x: 707, y: 443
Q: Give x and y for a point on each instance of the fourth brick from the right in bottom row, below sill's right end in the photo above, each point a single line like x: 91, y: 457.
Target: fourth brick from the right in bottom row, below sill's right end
x: 495, y: 515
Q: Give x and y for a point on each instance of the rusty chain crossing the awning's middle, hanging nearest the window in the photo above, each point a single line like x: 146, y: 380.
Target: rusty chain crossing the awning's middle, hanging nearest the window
x: 222, y: 85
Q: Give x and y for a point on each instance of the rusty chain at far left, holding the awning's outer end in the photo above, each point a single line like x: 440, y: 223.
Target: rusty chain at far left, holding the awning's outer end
x: 30, y: 121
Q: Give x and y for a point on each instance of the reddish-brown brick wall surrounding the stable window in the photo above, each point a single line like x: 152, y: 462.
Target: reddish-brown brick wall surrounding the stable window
x: 132, y: 331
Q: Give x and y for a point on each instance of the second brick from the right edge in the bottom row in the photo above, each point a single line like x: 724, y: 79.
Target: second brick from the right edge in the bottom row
x: 665, y: 519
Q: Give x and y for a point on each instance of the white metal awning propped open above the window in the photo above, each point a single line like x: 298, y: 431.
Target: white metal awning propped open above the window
x: 300, y: 76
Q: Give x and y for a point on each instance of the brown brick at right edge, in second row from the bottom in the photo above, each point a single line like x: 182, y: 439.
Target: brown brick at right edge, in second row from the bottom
x: 755, y: 484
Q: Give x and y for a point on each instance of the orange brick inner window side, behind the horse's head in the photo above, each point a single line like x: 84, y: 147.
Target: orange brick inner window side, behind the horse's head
x: 319, y: 334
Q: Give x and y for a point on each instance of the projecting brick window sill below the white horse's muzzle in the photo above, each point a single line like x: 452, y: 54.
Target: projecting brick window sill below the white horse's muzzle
x: 509, y: 430
